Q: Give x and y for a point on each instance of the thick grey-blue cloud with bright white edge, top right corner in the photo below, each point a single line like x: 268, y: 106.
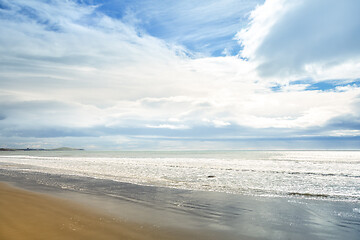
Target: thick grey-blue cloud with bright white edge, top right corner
x: 296, y: 39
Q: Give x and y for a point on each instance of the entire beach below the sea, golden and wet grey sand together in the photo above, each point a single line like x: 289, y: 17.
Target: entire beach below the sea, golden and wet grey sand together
x: 146, y: 212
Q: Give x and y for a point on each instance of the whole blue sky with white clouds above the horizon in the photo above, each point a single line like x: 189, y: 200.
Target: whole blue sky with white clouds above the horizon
x: 180, y: 75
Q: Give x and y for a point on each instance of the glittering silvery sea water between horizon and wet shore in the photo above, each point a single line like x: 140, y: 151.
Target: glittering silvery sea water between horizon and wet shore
x: 332, y: 175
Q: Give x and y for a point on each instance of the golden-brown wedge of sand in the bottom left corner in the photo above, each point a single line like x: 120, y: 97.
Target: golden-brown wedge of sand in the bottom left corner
x: 28, y: 215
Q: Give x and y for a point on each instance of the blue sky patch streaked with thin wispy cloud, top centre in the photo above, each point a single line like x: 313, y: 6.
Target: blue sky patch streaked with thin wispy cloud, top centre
x: 204, y: 27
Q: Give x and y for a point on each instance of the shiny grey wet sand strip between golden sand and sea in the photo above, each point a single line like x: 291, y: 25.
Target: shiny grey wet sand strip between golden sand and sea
x: 206, y: 215
